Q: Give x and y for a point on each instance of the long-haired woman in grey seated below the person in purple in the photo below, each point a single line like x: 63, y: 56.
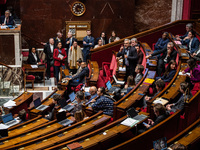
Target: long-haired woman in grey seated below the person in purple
x: 179, y: 105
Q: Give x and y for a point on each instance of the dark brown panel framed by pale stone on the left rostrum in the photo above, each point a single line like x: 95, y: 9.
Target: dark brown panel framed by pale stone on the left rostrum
x: 7, y: 49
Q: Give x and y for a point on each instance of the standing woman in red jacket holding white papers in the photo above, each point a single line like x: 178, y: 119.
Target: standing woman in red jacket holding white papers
x: 59, y: 55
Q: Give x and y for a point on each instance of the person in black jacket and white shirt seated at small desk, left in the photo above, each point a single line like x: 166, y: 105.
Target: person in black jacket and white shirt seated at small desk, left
x: 33, y: 57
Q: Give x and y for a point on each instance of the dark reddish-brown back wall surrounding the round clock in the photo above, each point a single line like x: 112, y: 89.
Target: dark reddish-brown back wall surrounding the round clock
x: 41, y: 19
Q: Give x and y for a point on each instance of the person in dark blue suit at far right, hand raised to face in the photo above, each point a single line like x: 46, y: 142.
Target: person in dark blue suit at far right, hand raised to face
x: 191, y: 41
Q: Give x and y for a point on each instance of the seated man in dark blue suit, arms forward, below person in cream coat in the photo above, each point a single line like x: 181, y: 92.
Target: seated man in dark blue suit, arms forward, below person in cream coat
x: 79, y: 78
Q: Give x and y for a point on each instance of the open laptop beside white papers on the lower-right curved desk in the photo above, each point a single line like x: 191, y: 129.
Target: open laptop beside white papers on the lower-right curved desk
x: 132, y: 113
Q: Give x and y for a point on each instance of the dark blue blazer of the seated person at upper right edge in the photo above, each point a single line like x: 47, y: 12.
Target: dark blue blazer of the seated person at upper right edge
x: 194, y: 44
